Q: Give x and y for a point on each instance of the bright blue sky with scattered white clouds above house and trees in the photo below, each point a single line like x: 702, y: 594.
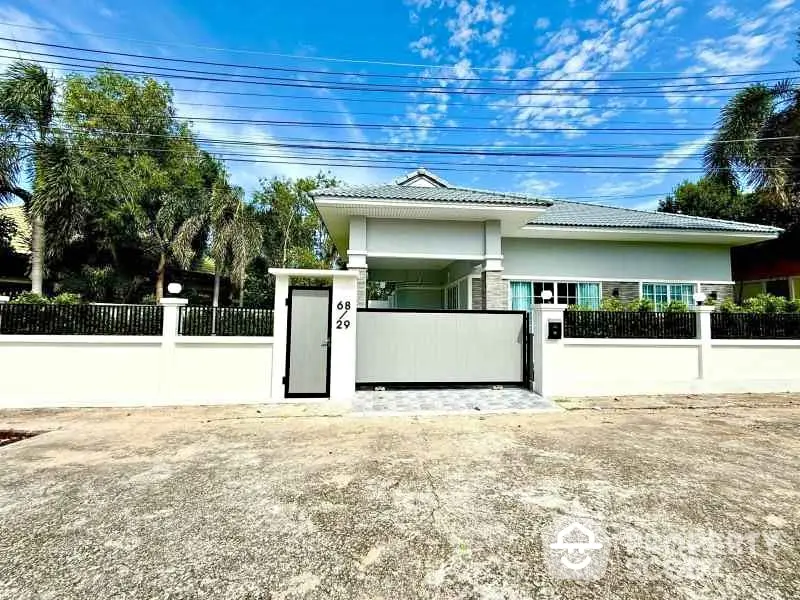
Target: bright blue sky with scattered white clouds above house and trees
x: 557, y: 76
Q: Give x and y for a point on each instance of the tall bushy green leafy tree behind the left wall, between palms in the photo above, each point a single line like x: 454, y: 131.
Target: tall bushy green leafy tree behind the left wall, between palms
x: 158, y: 177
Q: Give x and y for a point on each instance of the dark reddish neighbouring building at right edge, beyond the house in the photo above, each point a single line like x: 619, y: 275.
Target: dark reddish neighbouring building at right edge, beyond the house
x: 771, y: 267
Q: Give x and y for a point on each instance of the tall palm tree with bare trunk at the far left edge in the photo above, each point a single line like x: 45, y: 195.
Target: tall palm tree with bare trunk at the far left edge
x: 30, y: 142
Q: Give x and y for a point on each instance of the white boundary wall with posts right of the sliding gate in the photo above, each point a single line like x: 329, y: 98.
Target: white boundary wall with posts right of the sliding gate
x: 612, y: 367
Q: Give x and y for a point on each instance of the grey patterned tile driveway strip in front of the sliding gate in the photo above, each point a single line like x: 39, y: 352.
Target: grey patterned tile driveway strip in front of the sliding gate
x: 439, y: 401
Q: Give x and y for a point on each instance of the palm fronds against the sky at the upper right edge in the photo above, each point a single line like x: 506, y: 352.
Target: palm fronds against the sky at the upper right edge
x: 757, y: 144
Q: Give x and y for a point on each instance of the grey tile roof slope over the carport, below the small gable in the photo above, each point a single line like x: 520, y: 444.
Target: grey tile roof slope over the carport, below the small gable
x: 428, y: 194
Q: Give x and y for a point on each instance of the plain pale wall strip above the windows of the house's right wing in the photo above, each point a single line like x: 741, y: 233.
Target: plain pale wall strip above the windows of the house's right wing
x: 614, y: 261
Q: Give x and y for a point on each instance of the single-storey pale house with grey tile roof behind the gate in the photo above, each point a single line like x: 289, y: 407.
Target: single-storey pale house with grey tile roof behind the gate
x: 438, y: 246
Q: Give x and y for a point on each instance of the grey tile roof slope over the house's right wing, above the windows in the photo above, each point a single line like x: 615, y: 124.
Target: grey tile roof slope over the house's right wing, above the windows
x: 581, y: 214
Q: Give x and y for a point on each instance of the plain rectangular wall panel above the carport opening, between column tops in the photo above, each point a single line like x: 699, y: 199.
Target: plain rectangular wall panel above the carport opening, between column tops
x: 408, y: 237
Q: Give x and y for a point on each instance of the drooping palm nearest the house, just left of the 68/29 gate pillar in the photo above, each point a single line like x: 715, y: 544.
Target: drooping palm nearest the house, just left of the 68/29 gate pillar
x: 235, y: 233
